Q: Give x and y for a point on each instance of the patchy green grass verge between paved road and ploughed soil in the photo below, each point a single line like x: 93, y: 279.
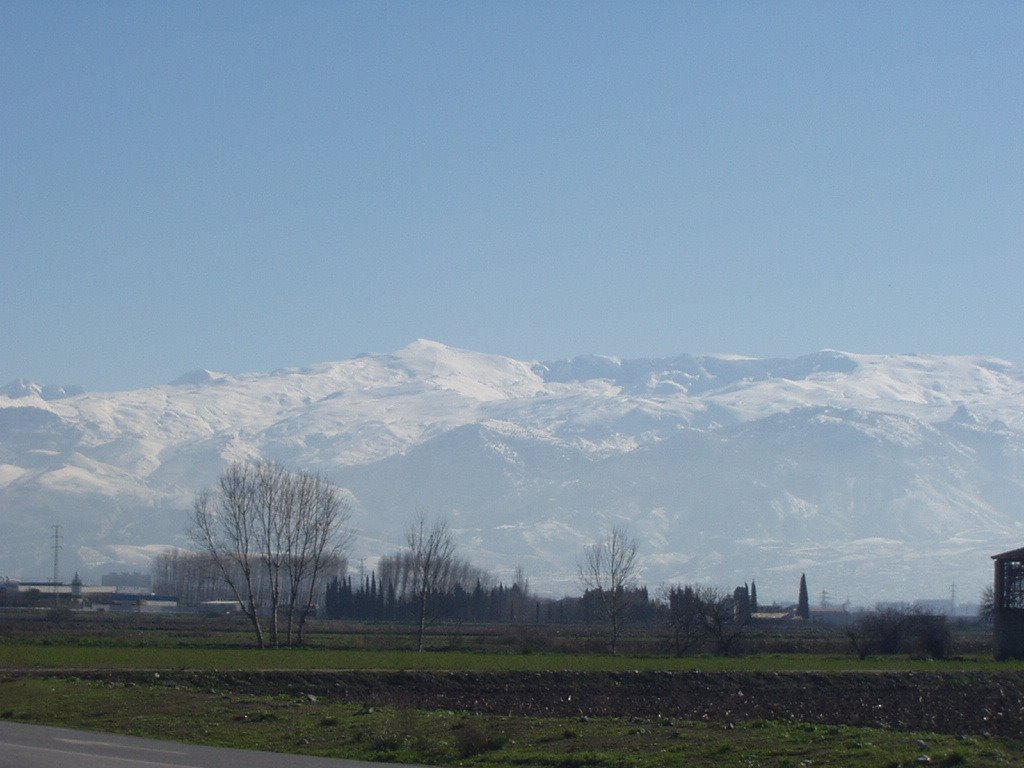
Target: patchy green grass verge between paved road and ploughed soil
x: 302, y: 724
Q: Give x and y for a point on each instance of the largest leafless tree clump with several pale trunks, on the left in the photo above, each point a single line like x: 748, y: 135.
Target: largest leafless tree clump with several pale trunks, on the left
x: 274, y: 531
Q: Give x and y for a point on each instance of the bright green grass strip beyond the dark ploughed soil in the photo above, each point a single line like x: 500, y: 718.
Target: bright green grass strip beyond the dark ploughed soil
x: 73, y: 656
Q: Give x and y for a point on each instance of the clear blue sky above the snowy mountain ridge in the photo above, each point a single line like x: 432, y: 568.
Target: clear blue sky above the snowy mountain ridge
x: 246, y: 187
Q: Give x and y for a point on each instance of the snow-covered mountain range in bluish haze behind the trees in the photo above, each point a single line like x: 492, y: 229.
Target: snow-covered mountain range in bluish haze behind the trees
x: 881, y: 477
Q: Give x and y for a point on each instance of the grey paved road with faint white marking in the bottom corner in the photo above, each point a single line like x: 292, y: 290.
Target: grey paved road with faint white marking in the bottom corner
x: 40, y: 747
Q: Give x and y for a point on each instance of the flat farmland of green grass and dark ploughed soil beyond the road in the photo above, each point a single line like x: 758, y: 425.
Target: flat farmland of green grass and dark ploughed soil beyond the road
x: 488, y: 701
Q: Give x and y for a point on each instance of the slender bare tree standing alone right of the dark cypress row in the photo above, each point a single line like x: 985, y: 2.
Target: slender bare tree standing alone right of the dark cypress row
x: 611, y: 569
